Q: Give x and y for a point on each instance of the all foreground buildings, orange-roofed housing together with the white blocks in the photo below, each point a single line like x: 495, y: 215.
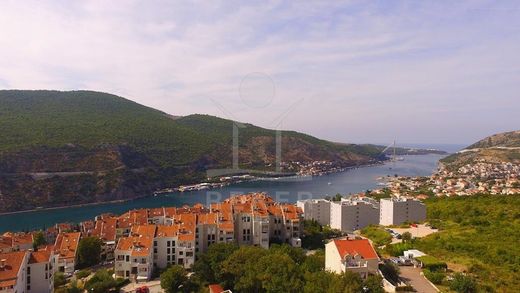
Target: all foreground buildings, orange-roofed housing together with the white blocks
x: 138, y: 242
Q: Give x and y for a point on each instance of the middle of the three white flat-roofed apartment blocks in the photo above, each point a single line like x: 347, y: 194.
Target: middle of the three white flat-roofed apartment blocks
x: 353, y: 213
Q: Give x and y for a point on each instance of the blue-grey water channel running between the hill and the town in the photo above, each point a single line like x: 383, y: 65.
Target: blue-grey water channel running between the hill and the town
x: 351, y: 181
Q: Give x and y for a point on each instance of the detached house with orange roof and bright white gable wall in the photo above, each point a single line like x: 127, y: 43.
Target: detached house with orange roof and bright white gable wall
x: 355, y: 255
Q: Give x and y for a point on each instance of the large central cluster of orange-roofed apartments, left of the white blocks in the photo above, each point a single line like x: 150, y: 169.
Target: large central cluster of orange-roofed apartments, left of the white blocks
x: 157, y: 238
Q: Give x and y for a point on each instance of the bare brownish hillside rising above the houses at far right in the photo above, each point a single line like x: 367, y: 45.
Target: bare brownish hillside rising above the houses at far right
x: 503, y: 147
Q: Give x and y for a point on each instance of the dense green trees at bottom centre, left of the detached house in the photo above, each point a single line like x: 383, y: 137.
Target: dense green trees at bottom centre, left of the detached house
x: 253, y: 269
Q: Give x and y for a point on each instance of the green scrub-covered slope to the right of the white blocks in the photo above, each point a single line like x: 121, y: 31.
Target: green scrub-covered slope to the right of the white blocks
x: 479, y: 236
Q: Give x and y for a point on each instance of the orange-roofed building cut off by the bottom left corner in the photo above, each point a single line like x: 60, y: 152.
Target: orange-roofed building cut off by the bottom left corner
x: 13, y: 266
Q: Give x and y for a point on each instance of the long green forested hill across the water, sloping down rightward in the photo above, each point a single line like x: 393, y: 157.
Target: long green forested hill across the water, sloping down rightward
x: 58, y: 148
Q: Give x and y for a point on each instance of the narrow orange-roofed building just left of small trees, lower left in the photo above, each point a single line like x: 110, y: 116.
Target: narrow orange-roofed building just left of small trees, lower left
x: 65, y: 251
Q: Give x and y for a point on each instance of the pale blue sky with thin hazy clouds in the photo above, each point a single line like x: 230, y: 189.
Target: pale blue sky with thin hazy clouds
x: 429, y: 72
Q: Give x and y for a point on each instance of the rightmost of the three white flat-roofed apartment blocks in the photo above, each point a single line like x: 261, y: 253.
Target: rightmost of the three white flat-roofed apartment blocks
x: 395, y: 211
